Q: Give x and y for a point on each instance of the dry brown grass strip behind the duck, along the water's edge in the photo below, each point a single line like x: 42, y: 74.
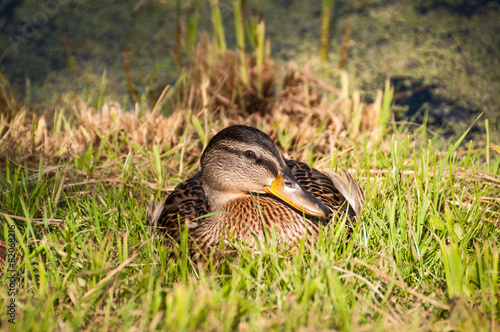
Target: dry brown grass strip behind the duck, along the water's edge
x: 214, y: 92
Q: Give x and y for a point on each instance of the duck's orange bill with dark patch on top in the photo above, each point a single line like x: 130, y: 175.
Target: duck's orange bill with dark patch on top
x: 286, y: 188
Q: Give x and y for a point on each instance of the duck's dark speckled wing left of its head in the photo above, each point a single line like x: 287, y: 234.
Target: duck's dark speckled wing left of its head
x: 184, y: 204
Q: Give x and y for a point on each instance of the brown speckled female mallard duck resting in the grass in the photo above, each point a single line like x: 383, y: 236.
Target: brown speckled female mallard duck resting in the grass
x: 244, y: 175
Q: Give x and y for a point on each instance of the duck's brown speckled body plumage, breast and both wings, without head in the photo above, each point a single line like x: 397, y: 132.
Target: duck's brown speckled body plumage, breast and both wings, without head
x: 252, y: 216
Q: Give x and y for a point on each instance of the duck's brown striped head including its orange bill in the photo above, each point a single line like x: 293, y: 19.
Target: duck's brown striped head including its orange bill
x: 241, y: 159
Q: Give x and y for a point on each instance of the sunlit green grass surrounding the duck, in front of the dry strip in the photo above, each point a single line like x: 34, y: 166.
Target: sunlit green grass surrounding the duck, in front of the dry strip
x: 424, y: 256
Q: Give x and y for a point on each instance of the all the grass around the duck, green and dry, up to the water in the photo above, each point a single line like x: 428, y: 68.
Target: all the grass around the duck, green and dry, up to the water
x: 75, y: 184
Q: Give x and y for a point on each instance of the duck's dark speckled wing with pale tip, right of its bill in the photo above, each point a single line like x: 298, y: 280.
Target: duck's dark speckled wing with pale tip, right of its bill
x: 335, y: 194
